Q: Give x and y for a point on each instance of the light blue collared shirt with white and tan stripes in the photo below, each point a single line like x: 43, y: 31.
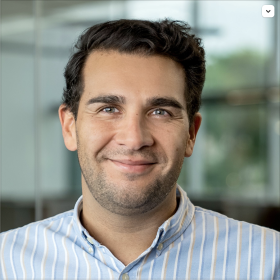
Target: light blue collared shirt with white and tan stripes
x: 193, y: 244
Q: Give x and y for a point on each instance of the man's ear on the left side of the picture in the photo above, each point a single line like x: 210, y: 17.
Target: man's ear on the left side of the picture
x: 68, y: 125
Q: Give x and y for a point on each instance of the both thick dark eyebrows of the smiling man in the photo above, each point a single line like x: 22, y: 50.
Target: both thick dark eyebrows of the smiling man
x: 153, y: 101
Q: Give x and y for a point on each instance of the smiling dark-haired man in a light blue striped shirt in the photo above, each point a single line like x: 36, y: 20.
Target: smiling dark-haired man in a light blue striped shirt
x: 130, y: 109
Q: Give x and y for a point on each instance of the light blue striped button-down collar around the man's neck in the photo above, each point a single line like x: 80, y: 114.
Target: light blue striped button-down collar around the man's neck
x: 167, y: 232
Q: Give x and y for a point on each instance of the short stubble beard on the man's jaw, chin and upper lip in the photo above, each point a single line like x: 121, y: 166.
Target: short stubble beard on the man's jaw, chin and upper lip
x: 126, y: 199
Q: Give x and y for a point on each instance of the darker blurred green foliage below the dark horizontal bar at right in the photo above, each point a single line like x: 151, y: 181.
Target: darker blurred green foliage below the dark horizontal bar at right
x: 235, y: 147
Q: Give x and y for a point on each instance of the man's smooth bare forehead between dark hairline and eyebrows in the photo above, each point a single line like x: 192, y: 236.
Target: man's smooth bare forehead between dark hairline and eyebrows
x: 132, y: 75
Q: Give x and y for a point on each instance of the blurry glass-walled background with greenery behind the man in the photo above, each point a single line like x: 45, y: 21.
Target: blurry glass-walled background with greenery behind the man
x: 235, y: 166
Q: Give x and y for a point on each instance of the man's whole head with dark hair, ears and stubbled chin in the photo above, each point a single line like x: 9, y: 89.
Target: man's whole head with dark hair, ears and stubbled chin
x: 131, y: 122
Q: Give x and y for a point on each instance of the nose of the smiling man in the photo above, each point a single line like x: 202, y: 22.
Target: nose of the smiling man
x: 134, y: 133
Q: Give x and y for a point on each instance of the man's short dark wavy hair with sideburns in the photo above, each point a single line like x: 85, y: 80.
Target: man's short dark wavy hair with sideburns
x: 168, y: 38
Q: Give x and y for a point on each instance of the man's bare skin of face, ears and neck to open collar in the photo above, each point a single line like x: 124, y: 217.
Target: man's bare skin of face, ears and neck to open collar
x: 131, y: 146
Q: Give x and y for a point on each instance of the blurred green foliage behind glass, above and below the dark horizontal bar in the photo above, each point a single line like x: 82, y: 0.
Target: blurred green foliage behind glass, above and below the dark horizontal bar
x: 234, y: 137
